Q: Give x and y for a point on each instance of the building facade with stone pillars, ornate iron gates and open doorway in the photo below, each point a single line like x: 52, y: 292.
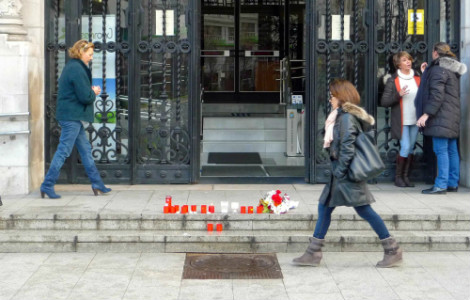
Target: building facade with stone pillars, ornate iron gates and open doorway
x: 211, y: 90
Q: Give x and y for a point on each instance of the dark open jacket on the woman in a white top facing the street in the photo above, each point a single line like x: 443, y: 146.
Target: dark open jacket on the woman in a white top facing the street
x: 391, y: 98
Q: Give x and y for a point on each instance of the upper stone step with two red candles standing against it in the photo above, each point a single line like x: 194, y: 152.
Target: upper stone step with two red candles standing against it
x: 231, y: 222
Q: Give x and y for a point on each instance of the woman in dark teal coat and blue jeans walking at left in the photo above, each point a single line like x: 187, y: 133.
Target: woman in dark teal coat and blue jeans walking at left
x: 74, y: 112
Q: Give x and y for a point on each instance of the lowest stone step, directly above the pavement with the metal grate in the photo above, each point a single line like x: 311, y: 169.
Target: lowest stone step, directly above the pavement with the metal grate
x: 224, y: 242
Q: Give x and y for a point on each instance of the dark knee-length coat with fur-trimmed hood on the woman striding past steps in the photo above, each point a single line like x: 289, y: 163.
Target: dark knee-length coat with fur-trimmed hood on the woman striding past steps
x: 340, y: 191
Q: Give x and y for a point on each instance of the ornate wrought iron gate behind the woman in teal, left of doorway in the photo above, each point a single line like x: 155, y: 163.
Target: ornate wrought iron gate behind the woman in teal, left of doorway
x: 143, y: 52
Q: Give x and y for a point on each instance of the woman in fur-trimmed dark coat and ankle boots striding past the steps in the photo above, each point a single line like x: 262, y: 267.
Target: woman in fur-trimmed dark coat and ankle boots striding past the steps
x: 340, y: 191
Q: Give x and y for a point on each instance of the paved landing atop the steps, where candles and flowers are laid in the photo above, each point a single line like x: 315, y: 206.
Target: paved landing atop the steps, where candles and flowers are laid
x: 149, y: 199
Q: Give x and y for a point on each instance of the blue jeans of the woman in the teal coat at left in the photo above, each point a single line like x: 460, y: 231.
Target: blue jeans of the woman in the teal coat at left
x: 72, y: 134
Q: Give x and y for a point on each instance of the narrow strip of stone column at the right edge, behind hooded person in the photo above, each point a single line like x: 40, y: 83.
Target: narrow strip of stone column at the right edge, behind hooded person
x: 465, y: 95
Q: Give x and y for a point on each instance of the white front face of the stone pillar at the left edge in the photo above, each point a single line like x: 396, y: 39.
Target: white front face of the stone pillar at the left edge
x: 14, y: 101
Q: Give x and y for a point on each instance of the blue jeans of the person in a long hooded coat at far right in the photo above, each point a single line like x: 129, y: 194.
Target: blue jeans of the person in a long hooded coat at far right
x: 448, y: 162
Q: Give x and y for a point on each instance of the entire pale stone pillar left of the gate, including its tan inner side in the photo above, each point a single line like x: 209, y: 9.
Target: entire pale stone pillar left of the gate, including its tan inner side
x: 21, y: 95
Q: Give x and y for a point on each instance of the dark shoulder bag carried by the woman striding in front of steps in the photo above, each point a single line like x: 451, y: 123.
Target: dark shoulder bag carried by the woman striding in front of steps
x: 366, y: 163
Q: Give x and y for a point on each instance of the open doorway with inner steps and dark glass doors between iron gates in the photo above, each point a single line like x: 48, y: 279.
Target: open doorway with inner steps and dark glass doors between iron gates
x: 247, y: 48
